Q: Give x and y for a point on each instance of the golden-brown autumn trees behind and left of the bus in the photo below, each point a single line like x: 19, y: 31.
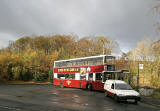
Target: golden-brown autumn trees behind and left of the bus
x: 32, y: 58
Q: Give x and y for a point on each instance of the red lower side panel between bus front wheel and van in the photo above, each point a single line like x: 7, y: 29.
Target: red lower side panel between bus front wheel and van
x: 97, y: 85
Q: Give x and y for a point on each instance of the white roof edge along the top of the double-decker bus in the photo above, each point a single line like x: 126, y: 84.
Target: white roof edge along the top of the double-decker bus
x: 84, y: 58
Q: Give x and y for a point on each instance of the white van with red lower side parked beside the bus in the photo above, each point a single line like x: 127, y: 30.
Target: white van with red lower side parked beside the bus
x: 120, y: 91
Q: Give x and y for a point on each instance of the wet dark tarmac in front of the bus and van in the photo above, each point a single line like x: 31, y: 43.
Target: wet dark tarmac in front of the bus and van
x: 49, y: 98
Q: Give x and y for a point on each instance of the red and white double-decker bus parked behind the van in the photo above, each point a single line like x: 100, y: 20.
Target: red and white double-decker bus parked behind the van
x: 87, y: 72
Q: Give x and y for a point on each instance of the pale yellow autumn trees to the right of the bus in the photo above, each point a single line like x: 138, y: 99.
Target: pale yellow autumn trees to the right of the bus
x: 146, y: 54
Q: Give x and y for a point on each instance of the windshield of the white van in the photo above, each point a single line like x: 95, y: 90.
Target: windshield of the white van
x: 122, y: 86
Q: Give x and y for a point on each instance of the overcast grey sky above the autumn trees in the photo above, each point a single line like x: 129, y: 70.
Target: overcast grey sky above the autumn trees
x: 127, y: 21
